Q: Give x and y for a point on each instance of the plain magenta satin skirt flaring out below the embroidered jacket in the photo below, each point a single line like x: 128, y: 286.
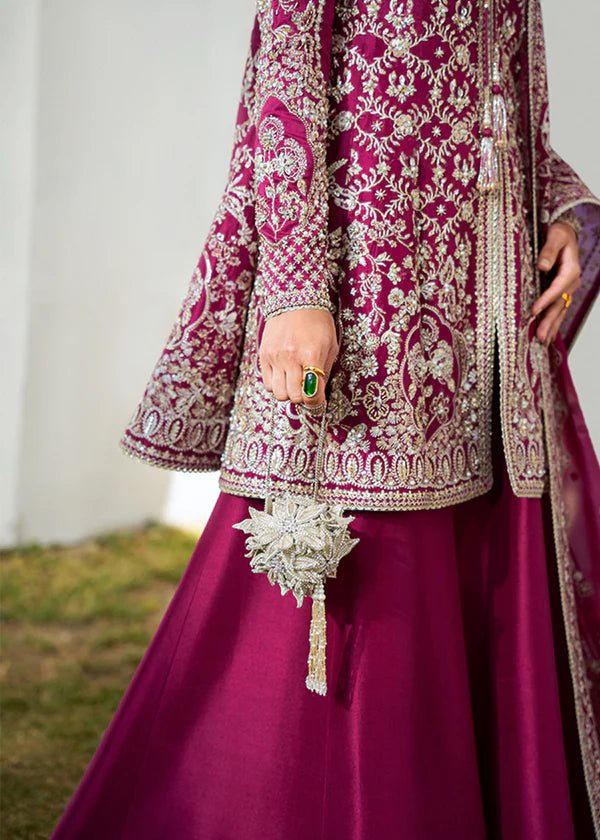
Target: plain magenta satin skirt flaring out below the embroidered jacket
x: 449, y: 710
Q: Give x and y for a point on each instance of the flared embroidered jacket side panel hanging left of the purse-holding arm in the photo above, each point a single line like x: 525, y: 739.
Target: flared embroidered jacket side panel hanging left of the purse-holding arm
x: 182, y: 419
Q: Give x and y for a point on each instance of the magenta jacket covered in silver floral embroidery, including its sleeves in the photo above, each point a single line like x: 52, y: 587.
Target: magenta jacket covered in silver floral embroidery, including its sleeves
x: 392, y: 164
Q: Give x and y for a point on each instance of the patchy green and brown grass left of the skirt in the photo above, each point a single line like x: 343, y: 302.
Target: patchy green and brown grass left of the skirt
x: 75, y: 623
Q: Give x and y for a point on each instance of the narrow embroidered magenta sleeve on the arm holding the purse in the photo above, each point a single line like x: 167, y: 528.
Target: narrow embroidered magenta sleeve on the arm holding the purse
x: 291, y: 197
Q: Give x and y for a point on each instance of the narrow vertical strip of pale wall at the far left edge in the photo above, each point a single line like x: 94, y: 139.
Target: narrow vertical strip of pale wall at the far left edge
x: 18, y: 74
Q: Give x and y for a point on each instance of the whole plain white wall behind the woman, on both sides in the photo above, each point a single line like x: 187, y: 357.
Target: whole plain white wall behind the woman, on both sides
x: 121, y: 116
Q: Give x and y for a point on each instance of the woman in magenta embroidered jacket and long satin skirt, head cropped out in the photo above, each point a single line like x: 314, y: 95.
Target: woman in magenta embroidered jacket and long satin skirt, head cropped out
x: 395, y: 221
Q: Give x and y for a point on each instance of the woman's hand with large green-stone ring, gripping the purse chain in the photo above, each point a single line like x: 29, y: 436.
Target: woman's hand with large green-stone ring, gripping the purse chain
x: 290, y: 340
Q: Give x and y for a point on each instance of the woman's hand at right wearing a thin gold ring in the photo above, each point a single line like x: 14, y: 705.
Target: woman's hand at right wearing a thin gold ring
x: 561, y: 250
